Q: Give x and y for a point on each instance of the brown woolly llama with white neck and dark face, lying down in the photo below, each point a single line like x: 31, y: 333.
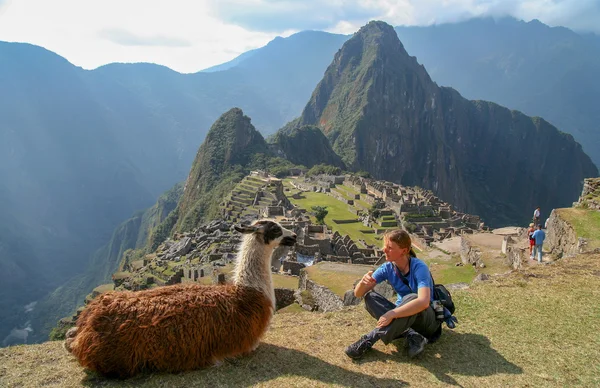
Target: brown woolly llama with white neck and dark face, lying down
x: 183, y: 327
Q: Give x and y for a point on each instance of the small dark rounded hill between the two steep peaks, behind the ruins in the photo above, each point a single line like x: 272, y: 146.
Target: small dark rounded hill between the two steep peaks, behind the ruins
x: 305, y: 146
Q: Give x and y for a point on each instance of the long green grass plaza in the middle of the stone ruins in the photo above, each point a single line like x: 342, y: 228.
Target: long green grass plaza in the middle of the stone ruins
x: 337, y: 210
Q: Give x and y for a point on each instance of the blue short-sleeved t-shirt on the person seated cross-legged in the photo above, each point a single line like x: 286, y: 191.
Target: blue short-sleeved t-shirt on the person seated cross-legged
x: 418, y: 277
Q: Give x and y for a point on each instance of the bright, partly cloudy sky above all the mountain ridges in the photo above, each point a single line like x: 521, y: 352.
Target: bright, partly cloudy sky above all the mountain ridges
x: 191, y: 35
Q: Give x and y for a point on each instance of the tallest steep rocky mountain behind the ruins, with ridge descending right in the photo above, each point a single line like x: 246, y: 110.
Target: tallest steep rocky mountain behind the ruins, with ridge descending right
x: 383, y: 114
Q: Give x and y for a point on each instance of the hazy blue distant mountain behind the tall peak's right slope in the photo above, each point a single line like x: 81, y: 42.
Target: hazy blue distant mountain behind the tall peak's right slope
x: 544, y: 71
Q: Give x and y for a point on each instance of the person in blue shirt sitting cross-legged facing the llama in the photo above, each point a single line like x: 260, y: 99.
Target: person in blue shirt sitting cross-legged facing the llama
x: 411, y: 316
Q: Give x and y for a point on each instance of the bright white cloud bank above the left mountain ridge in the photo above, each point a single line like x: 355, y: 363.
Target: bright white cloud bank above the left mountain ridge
x: 180, y: 34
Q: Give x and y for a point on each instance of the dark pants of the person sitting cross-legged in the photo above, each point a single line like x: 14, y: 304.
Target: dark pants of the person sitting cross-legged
x: 423, y: 323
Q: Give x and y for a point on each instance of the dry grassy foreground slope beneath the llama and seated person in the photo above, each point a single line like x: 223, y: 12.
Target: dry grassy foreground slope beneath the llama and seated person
x: 535, y: 328
